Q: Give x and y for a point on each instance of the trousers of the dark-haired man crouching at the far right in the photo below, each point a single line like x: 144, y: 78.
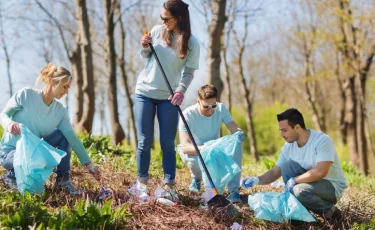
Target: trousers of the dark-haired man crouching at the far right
x: 318, y: 196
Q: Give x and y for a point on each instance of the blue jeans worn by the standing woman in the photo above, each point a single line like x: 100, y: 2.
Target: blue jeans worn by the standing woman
x: 167, y: 114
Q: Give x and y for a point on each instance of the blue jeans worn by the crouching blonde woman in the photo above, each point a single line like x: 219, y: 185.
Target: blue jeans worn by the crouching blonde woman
x: 56, y: 139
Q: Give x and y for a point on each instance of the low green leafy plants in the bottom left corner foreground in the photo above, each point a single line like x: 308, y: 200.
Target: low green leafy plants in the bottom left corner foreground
x: 21, y: 211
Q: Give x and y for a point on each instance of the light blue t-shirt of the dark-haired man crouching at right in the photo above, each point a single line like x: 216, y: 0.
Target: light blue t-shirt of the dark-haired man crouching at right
x: 318, y: 148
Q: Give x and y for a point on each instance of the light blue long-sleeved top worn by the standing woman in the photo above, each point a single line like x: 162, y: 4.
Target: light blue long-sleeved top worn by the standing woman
x: 150, y: 82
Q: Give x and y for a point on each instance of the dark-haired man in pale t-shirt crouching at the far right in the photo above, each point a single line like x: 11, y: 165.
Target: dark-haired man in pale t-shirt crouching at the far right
x: 309, y: 166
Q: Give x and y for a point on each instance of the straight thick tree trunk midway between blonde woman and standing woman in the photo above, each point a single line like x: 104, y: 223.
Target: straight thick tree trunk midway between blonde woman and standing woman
x: 117, y: 132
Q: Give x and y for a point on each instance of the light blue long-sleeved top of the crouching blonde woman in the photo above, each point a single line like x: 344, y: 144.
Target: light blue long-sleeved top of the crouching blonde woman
x: 28, y: 108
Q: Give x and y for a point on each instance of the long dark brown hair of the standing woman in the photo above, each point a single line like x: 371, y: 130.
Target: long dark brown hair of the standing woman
x: 180, y: 11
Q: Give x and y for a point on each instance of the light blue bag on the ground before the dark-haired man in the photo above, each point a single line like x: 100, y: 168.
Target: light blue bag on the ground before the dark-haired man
x: 278, y: 207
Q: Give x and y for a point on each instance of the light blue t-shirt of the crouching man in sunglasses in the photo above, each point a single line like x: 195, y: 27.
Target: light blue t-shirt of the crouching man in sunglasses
x: 205, y: 128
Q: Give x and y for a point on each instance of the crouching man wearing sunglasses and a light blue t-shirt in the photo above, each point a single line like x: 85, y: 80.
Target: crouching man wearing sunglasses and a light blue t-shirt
x: 204, y: 120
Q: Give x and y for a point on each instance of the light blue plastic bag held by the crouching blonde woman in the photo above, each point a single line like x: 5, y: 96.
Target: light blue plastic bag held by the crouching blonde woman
x: 34, y: 161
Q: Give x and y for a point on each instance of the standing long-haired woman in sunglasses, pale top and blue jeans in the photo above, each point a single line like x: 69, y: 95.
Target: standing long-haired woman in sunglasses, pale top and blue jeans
x: 178, y: 51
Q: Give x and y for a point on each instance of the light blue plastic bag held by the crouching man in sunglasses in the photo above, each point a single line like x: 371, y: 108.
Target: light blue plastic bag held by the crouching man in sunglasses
x: 218, y: 157
